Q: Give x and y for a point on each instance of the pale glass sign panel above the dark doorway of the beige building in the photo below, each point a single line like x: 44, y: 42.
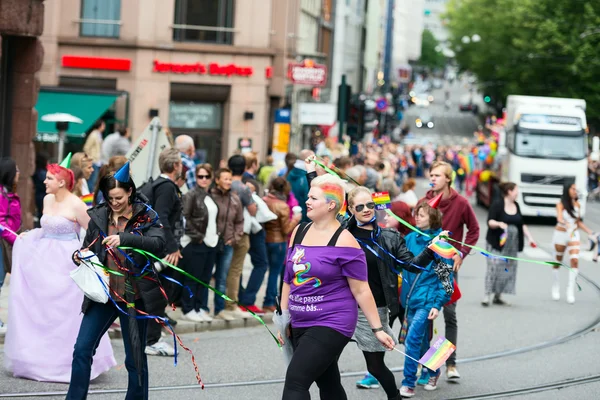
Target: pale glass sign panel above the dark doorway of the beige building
x: 195, y: 115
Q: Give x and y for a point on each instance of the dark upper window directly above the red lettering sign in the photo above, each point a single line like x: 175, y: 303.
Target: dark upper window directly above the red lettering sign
x: 204, y: 21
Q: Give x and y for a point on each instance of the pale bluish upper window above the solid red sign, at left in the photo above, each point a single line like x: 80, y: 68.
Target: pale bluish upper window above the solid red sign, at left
x: 101, y: 18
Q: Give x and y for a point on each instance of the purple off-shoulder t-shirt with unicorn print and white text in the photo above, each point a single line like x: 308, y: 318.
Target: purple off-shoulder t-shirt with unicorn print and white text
x: 319, y: 290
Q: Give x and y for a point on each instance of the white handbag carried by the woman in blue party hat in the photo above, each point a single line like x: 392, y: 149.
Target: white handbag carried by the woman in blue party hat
x: 92, y: 279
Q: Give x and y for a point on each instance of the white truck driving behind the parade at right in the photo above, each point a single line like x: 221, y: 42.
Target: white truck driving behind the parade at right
x: 543, y: 148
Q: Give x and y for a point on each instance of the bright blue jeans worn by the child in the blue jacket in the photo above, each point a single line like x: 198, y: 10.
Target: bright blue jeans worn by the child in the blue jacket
x: 415, y: 338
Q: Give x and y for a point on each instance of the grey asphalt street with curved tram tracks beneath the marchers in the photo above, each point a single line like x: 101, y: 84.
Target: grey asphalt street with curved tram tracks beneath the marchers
x: 234, y: 362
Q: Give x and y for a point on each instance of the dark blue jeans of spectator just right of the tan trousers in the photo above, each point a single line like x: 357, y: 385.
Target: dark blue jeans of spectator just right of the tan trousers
x: 260, y: 265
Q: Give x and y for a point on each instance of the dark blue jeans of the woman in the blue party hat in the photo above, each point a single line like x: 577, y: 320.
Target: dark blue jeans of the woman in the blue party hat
x: 94, y: 325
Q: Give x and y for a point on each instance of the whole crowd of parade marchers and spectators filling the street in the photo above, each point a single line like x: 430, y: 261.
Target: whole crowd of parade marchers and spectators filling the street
x: 335, y: 267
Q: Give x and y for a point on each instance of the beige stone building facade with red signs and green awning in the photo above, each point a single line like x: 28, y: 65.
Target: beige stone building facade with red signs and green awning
x: 211, y: 69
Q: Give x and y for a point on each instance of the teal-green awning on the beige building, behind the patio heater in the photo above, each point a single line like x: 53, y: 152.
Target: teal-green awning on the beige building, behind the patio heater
x: 86, y: 106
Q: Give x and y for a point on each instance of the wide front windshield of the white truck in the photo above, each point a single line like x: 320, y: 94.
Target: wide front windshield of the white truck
x: 550, y: 144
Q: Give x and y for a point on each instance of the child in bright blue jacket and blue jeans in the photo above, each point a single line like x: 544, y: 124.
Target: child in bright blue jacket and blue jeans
x: 423, y: 297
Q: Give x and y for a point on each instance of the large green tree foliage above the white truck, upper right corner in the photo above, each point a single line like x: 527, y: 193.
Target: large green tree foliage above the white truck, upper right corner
x: 531, y: 47
